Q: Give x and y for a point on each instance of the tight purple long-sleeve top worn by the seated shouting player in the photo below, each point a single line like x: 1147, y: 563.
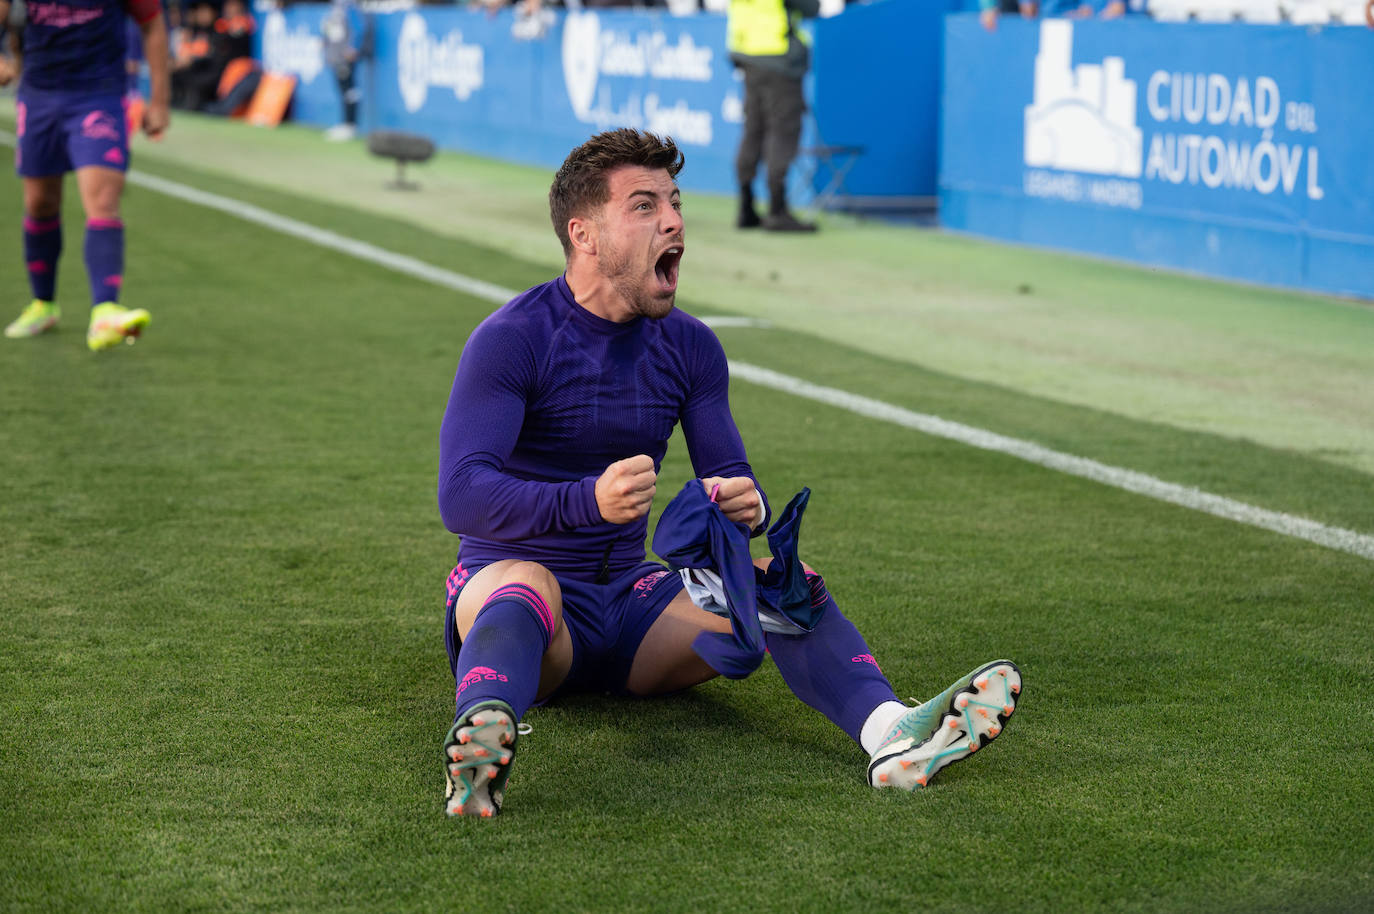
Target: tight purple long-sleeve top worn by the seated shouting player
x: 546, y: 398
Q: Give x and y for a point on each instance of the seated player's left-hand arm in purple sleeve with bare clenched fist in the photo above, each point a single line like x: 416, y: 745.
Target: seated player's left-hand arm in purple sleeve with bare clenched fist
x: 497, y: 377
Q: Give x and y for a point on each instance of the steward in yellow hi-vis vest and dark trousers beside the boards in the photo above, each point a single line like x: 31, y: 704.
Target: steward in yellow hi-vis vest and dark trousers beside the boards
x: 765, y: 43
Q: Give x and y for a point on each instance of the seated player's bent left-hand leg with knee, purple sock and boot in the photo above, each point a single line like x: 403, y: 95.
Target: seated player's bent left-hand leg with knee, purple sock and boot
x: 515, y: 649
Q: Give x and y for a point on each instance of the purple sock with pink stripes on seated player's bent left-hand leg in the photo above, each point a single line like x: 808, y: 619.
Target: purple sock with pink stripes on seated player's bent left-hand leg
x: 502, y: 654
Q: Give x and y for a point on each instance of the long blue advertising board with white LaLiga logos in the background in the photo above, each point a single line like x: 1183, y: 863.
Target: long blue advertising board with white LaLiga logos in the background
x: 482, y: 83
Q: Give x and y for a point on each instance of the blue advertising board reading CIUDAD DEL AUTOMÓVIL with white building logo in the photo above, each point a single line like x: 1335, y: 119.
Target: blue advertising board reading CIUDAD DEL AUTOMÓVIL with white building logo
x: 1230, y: 151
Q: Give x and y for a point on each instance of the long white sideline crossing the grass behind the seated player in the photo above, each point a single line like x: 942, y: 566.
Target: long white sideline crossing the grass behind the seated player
x: 1131, y: 482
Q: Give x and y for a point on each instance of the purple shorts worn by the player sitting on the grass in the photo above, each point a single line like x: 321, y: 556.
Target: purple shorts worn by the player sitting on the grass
x: 607, y: 622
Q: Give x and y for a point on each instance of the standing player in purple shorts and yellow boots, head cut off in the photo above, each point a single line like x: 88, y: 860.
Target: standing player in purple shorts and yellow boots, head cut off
x: 71, y: 116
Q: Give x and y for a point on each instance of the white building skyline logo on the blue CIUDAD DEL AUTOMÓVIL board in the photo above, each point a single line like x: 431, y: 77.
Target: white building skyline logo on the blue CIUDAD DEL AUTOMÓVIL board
x: 1082, y: 119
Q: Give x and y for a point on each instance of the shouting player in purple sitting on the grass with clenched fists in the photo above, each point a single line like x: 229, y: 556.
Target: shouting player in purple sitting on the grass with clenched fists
x: 559, y: 421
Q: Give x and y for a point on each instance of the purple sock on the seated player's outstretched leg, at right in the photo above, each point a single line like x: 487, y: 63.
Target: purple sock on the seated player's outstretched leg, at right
x: 832, y: 669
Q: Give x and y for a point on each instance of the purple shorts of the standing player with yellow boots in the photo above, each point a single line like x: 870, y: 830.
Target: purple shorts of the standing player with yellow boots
x: 61, y: 133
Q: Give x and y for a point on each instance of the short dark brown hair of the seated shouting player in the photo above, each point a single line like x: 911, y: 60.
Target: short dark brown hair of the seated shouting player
x: 582, y: 183
